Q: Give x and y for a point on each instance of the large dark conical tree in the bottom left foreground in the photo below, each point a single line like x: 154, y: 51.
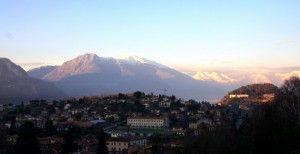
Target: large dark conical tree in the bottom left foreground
x: 27, y: 141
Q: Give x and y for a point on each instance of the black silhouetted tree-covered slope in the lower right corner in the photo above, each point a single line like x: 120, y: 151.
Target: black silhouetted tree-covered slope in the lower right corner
x: 271, y: 128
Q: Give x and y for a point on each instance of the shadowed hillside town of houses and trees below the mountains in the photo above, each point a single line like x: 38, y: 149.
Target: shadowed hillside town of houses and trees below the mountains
x: 132, y: 123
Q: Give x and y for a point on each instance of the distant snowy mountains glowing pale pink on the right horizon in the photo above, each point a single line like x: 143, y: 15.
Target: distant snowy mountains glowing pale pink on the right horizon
x: 237, y: 77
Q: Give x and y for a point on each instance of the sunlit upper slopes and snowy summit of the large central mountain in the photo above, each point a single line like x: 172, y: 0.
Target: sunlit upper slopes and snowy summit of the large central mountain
x: 91, y: 63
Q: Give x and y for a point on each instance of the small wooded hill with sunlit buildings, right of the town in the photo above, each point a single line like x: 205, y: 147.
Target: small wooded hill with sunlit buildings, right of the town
x: 253, y: 93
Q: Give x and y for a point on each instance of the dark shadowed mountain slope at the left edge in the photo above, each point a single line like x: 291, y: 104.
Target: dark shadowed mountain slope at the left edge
x: 17, y: 85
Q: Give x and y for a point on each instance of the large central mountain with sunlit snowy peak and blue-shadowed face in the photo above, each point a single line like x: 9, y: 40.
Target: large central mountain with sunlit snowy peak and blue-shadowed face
x: 92, y: 75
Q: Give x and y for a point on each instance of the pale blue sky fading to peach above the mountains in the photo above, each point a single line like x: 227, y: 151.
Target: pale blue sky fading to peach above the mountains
x: 210, y: 33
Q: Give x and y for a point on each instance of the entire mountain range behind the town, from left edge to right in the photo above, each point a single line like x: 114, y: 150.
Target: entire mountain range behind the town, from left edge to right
x: 90, y: 74
